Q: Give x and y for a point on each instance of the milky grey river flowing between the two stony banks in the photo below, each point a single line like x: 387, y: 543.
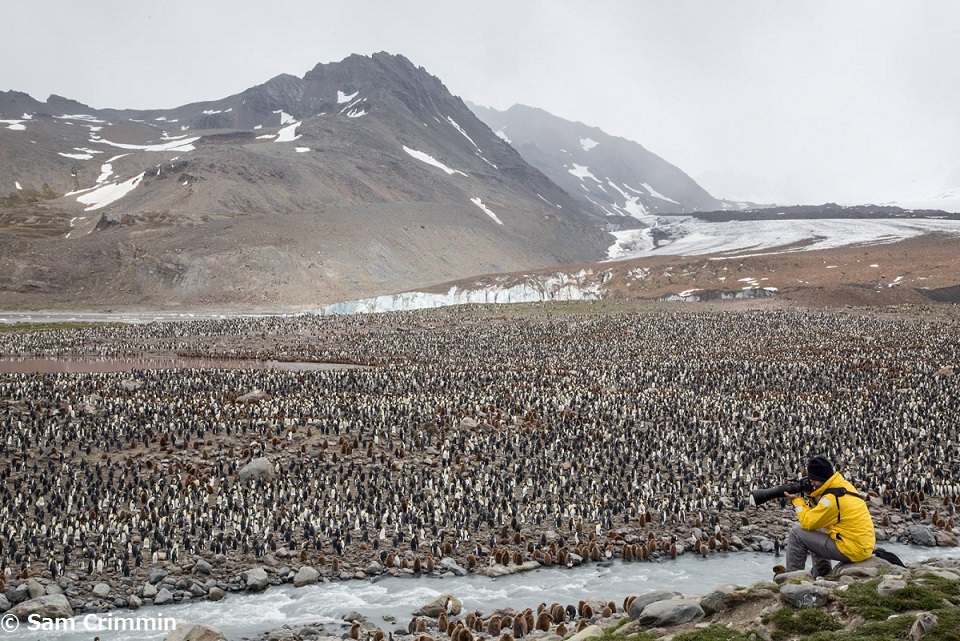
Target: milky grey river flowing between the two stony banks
x: 248, y: 615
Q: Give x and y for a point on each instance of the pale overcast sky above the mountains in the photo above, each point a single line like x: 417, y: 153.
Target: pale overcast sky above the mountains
x: 777, y: 101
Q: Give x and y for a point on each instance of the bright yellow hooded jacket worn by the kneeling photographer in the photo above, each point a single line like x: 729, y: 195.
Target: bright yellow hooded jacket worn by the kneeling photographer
x: 845, y: 519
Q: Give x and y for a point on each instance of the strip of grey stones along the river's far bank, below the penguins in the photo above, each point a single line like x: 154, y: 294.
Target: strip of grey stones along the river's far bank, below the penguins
x: 216, y: 578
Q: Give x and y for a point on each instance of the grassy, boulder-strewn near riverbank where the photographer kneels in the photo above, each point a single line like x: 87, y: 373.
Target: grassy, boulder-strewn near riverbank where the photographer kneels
x: 762, y: 612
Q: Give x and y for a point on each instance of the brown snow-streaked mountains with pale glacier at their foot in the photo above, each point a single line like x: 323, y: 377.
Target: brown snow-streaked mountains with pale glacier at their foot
x: 363, y: 178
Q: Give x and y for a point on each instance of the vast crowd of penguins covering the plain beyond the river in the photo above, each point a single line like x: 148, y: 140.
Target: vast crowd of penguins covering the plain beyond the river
x: 472, y: 434
